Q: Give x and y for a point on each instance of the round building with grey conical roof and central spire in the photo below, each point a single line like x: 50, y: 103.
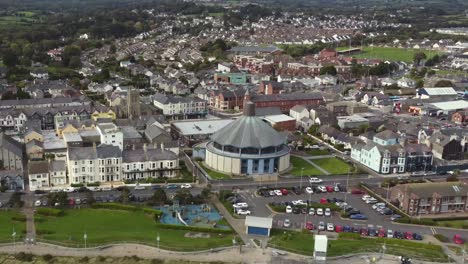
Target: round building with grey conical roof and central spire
x: 247, y: 146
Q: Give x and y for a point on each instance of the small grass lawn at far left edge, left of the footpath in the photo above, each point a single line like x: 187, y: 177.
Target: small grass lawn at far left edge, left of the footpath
x: 8, y: 224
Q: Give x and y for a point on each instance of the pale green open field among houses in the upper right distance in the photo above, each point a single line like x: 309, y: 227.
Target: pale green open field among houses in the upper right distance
x: 391, y: 54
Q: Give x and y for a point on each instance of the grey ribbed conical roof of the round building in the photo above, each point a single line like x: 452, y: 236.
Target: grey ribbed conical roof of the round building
x: 248, y: 131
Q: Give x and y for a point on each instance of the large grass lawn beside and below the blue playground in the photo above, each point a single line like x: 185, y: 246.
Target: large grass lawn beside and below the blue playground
x: 107, y: 226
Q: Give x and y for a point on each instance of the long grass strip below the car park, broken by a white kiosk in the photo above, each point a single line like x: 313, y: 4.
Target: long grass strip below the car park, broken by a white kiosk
x: 303, y: 243
